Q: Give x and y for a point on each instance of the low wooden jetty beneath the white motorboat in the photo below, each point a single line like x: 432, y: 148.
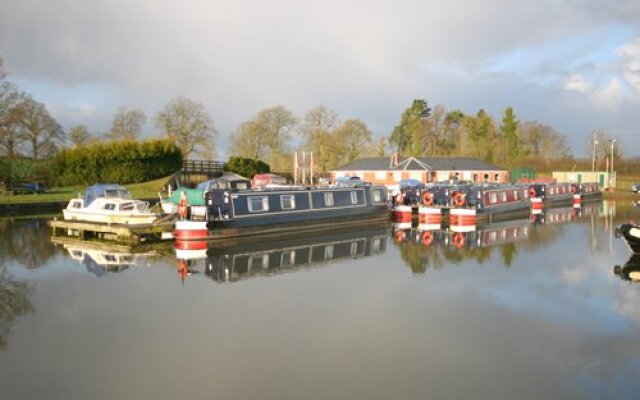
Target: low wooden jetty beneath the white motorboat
x: 122, y: 233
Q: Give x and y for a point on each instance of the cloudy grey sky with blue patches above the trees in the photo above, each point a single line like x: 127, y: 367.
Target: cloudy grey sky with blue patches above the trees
x: 572, y: 64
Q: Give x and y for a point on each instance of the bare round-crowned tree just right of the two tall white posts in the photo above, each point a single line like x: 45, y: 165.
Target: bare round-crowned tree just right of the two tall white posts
x: 317, y: 128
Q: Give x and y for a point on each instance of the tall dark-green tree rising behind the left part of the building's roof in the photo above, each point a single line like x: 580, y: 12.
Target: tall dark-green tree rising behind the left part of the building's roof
x: 409, y: 136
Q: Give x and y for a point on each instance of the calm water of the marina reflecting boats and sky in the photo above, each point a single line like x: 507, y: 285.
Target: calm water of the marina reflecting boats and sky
x: 516, y: 309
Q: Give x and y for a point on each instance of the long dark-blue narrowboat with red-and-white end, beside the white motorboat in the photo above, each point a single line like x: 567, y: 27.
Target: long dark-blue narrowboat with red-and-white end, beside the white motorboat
x: 230, y: 213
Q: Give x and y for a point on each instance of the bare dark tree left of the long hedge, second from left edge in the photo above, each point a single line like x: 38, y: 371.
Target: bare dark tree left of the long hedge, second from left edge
x: 40, y: 130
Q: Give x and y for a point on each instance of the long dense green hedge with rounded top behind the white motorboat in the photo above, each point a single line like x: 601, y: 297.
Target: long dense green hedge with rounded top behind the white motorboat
x: 115, y: 162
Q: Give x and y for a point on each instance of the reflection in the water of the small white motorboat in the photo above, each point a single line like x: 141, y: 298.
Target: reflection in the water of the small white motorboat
x: 100, y: 258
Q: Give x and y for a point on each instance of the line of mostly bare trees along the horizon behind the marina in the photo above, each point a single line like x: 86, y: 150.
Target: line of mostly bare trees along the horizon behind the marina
x: 27, y: 129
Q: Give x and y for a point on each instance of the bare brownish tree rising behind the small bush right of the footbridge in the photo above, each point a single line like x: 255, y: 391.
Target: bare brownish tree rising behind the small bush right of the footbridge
x: 265, y: 136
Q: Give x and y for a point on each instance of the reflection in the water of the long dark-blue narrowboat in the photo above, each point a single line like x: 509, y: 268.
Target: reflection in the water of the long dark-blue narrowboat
x: 233, y: 261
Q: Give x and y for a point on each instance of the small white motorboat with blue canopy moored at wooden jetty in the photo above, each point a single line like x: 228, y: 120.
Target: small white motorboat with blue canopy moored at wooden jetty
x: 109, y: 203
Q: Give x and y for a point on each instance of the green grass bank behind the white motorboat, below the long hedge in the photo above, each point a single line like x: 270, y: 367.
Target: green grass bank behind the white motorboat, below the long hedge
x: 138, y: 190
